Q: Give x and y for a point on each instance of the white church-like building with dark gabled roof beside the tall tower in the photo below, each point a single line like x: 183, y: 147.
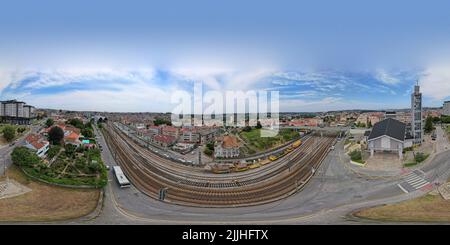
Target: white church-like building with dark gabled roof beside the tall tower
x: 388, y: 136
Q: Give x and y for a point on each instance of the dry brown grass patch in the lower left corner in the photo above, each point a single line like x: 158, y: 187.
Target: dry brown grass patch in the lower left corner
x: 45, y: 202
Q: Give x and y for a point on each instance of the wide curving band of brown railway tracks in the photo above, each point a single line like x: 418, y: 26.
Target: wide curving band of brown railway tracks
x: 149, y: 176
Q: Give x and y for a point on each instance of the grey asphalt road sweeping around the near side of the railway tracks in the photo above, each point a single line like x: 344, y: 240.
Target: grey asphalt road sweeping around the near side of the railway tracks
x: 334, y: 192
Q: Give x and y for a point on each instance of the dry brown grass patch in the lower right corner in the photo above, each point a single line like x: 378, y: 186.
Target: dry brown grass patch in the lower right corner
x: 429, y: 208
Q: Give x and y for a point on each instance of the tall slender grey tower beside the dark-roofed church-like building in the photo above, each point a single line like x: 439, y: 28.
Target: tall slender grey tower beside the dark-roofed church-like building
x: 416, y: 114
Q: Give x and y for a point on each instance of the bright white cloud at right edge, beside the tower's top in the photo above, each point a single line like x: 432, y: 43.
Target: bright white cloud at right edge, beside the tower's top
x: 436, y: 82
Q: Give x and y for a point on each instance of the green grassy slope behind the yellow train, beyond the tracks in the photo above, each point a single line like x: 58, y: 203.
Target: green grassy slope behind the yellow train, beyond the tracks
x: 263, y: 143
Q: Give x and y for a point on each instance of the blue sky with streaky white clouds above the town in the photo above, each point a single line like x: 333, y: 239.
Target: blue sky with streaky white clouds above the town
x: 133, y: 55
